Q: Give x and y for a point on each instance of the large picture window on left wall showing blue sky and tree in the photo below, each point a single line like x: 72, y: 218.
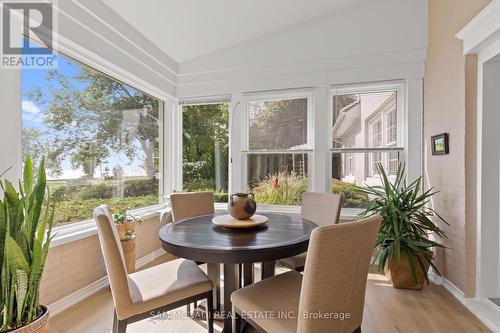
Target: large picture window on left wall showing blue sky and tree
x: 100, y: 138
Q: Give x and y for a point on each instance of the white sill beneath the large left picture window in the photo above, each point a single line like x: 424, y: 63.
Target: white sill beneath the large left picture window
x: 65, y: 234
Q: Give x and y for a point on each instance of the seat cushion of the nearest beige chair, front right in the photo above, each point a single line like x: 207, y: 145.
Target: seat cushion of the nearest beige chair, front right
x: 272, y: 303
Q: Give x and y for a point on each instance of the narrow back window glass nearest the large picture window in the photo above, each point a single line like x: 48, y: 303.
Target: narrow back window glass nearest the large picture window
x: 205, y: 148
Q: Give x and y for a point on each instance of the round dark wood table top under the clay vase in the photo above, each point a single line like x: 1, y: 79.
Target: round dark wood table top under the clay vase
x: 200, y: 240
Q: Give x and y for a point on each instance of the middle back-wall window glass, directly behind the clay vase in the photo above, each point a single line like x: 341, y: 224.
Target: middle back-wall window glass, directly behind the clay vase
x: 277, y: 159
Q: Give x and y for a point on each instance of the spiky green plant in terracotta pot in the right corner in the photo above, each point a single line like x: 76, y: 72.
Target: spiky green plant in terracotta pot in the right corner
x: 403, y: 240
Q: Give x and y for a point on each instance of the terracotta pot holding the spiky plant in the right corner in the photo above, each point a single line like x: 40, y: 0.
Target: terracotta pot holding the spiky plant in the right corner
x: 400, y: 275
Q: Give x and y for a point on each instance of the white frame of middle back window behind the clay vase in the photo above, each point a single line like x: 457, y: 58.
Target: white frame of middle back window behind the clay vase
x: 245, y: 138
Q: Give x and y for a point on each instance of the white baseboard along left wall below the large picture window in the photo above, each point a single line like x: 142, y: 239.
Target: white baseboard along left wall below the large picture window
x: 87, y: 291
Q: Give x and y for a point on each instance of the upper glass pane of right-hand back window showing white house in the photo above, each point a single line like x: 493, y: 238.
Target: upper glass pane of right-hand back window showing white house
x: 365, y: 120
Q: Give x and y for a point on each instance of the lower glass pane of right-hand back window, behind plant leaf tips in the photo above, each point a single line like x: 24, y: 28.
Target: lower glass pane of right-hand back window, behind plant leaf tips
x: 353, y: 170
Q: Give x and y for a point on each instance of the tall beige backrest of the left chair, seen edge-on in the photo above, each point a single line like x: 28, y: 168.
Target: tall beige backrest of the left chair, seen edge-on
x: 113, y: 258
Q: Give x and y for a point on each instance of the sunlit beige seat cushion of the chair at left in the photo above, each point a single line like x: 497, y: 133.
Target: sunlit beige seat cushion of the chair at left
x: 165, y: 284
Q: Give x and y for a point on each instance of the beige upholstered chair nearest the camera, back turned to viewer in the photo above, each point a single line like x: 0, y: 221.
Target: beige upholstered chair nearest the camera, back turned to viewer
x: 328, y: 297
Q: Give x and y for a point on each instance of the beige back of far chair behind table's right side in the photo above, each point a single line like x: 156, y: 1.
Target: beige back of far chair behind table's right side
x: 321, y: 208
